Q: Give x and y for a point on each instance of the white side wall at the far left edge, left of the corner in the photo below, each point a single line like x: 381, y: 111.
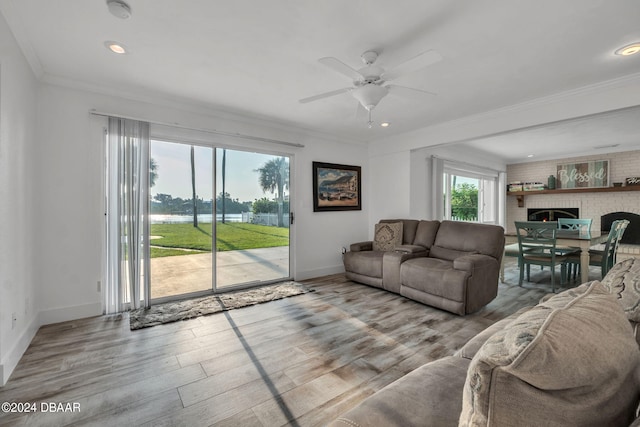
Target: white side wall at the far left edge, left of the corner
x: 18, y: 212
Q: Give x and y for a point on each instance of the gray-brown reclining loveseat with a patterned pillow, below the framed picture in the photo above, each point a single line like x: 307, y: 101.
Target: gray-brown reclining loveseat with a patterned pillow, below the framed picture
x: 449, y: 265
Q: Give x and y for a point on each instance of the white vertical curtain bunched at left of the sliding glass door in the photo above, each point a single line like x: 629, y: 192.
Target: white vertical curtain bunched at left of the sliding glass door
x: 127, y: 215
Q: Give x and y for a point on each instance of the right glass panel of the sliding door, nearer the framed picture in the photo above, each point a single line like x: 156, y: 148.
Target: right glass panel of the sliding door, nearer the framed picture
x: 252, y: 206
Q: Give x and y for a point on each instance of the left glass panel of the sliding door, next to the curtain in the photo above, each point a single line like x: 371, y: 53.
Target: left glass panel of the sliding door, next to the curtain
x: 181, y: 218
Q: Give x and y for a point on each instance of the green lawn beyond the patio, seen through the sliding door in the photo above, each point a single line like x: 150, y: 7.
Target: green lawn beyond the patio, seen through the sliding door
x: 185, y: 239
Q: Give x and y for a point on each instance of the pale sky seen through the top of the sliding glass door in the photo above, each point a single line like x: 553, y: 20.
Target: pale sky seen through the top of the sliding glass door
x: 174, y: 171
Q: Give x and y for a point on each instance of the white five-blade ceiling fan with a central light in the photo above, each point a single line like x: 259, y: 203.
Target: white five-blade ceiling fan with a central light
x: 369, y: 81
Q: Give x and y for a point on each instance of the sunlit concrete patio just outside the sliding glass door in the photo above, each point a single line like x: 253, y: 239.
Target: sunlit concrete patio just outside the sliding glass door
x: 183, y: 274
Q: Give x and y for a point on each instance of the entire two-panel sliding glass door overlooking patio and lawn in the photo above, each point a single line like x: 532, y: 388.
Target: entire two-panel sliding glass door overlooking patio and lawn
x: 245, y: 243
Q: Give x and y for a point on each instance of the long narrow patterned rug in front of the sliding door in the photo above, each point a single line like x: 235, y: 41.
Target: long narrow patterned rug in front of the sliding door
x: 190, y: 308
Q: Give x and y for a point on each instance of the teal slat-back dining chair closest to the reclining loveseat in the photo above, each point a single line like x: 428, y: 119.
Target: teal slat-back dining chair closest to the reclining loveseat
x: 537, y: 246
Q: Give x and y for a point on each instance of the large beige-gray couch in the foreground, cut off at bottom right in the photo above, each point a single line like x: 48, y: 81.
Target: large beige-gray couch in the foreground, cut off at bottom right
x: 572, y: 360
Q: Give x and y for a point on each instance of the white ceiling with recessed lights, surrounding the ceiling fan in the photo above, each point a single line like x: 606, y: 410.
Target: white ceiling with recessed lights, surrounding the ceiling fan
x: 258, y: 58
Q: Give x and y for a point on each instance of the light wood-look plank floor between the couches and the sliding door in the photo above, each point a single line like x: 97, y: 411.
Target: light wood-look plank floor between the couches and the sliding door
x: 298, y: 361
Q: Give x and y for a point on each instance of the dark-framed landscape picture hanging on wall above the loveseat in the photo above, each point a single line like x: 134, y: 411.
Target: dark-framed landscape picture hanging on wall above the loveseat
x: 336, y: 187
